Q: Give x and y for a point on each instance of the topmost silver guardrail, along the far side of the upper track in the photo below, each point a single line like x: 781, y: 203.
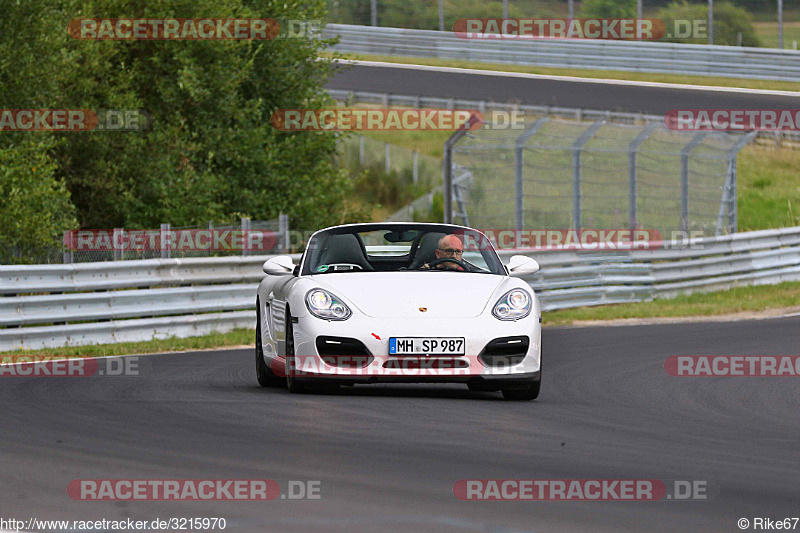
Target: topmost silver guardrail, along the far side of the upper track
x: 634, y: 56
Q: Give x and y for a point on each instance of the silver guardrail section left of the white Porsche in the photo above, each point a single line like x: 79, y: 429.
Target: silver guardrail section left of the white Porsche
x: 125, y: 301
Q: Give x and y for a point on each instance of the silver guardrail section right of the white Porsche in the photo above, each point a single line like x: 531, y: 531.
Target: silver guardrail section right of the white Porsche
x: 582, y: 277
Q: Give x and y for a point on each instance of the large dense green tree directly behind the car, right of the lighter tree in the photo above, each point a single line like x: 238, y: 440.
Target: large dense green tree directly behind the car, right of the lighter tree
x: 210, y: 151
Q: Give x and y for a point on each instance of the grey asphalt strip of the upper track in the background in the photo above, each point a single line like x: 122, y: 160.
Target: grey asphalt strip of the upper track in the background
x: 532, y: 91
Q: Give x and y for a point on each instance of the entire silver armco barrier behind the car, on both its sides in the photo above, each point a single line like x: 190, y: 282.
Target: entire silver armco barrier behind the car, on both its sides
x: 88, y: 303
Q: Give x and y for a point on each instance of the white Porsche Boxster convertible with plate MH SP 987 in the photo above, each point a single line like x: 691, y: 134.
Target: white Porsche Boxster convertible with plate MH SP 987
x: 399, y: 302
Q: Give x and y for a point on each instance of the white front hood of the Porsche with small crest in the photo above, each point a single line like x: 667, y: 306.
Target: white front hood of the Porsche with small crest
x: 404, y: 294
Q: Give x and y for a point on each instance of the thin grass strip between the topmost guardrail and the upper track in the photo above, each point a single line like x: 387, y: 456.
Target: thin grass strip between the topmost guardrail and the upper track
x: 582, y: 73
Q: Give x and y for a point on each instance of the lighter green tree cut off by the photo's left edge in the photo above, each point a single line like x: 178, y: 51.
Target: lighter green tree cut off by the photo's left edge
x: 34, y: 201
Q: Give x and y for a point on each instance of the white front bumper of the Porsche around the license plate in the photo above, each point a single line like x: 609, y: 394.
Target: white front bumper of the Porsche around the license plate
x: 377, y: 365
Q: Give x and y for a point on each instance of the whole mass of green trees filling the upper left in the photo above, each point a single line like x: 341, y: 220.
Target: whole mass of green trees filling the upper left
x: 209, y: 153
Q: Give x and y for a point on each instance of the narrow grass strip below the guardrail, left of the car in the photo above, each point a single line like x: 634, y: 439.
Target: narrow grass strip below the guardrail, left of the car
x: 236, y: 337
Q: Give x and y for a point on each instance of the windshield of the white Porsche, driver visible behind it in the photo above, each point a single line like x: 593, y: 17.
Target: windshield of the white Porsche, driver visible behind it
x: 400, y: 248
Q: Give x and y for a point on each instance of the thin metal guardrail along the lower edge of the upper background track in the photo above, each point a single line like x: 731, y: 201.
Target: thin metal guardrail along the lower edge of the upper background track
x: 788, y: 138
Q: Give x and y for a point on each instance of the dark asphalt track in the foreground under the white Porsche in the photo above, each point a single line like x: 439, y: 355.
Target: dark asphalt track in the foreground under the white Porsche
x: 387, y: 456
